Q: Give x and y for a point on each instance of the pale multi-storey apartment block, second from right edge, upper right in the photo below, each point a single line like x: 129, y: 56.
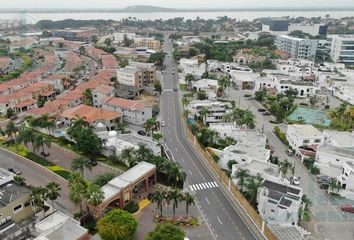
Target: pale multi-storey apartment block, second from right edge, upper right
x: 297, y: 47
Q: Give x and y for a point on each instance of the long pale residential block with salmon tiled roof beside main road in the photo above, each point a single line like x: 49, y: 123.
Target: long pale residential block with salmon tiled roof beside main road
x: 134, y: 112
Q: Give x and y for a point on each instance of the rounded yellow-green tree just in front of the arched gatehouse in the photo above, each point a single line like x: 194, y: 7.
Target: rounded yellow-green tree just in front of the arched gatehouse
x: 117, y: 225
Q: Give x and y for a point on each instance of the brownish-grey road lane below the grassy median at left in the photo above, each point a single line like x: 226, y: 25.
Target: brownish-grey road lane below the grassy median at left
x: 36, y: 175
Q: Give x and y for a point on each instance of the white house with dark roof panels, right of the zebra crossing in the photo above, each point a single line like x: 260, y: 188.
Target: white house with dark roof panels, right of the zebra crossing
x: 279, y: 203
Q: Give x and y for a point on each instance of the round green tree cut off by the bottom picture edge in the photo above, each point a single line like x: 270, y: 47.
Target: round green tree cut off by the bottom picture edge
x: 166, y: 231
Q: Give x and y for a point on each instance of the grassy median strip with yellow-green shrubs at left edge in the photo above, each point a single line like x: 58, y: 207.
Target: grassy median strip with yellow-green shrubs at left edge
x: 24, y: 152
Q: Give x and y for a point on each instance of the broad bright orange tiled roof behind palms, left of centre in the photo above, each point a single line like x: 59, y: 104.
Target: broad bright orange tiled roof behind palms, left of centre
x: 91, y: 114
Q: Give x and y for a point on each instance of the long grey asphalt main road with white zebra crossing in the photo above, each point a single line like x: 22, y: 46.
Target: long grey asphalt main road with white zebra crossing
x: 220, y: 214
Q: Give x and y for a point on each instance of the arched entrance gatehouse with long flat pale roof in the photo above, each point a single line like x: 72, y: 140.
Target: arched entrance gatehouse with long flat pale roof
x: 125, y: 187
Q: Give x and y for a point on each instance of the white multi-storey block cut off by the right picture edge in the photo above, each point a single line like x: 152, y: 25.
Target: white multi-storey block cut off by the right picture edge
x: 342, y: 48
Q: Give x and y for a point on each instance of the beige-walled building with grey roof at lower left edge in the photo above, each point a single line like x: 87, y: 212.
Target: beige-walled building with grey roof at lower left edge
x: 15, y: 203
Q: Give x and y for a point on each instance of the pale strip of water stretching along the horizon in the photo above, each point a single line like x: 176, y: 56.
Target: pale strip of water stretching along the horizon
x: 239, y: 15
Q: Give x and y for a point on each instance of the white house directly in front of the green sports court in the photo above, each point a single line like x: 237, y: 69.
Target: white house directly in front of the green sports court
x: 303, y: 135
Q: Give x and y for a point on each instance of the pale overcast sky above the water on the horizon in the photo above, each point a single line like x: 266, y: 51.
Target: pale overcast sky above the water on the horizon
x: 175, y: 4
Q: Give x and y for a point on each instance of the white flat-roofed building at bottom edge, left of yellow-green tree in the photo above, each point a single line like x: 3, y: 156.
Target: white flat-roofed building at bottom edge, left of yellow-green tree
x: 58, y: 226
